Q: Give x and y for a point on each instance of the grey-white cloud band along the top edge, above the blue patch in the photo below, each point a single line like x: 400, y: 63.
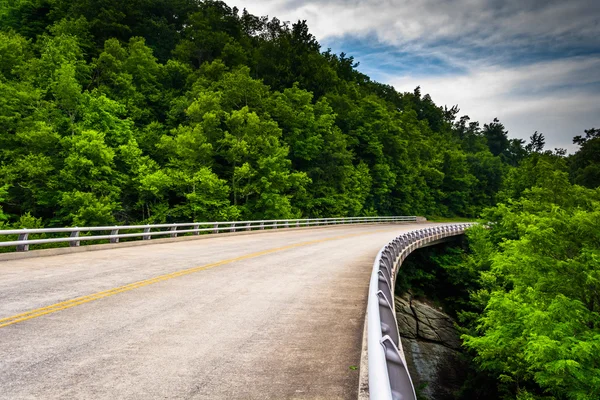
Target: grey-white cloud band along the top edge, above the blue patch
x: 476, y: 22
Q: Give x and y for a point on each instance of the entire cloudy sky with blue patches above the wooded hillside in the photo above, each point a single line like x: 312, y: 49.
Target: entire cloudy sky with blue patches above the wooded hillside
x: 533, y: 64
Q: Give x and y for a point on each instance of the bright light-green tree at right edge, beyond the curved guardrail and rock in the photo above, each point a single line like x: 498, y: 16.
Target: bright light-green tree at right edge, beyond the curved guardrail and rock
x: 540, y: 328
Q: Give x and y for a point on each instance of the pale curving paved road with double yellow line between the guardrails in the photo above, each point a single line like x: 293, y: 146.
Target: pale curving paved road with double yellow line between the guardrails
x: 275, y: 315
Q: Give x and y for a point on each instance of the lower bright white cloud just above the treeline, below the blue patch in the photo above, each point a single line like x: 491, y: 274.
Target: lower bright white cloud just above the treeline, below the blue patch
x: 524, y: 98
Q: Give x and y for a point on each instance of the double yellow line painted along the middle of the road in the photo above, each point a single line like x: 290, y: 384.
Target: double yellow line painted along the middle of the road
x: 38, y: 312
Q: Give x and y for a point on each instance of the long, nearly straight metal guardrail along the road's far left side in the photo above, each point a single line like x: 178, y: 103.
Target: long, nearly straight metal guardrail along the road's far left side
x: 74, y: 239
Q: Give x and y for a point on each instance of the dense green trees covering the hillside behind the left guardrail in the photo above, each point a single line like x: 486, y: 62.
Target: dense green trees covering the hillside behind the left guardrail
x: 164, y: 111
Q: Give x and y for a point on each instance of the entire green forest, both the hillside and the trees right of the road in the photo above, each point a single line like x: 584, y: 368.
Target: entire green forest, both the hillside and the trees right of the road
x: 152, y: 111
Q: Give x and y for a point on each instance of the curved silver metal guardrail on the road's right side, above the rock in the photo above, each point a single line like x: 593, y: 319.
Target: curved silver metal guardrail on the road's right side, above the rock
x: 389, y: 378
